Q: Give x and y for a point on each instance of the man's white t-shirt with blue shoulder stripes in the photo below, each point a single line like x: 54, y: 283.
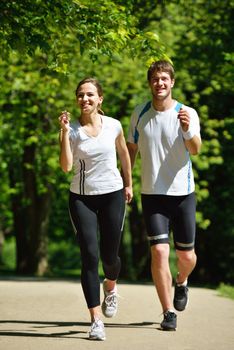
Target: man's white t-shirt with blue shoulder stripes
x: 165, y: 162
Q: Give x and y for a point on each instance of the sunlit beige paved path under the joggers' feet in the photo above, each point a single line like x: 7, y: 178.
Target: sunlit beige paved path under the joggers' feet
x: 48, y: 314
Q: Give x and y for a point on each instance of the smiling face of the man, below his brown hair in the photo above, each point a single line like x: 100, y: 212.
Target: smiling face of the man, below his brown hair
x: 161, y: 85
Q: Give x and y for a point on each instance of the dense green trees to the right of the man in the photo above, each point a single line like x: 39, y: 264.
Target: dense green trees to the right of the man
x: 198, y: 40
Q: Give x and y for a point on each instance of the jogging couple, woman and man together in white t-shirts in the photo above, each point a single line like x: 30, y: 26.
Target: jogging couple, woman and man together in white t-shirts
x: 165, y: 133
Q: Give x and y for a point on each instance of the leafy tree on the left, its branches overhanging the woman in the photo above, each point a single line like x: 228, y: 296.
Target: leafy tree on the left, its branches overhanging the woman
x: 39, y: 41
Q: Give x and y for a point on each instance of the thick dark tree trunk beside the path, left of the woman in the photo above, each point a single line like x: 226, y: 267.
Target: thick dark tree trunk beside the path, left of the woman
x: 31, y: 217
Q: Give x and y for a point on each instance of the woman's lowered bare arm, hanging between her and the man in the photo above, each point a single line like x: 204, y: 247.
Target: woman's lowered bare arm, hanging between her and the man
x: 125, y: 165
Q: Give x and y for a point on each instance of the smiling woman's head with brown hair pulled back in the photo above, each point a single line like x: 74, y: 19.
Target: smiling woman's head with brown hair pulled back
x: 88, y: 99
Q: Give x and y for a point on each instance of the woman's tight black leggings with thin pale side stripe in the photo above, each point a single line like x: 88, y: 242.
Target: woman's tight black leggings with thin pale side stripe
x: 88, y: 213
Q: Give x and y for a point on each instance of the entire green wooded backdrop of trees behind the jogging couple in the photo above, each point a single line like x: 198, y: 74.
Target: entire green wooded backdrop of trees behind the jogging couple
x: 47, y: 47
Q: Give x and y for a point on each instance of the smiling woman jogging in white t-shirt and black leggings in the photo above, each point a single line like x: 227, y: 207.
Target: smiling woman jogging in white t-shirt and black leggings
x: 97, y: 195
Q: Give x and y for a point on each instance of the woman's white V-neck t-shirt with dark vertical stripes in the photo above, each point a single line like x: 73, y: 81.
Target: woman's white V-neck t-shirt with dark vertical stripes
x: 94, y: 159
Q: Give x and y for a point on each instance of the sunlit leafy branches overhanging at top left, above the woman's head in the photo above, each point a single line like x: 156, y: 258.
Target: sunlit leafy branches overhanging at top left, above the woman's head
x: 57, y: 27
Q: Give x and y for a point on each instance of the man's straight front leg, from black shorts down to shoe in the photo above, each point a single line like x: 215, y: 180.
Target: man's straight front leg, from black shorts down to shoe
x: 156, y: 215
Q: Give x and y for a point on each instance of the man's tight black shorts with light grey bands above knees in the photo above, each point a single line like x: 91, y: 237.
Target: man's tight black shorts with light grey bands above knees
x: 162, y: 213
